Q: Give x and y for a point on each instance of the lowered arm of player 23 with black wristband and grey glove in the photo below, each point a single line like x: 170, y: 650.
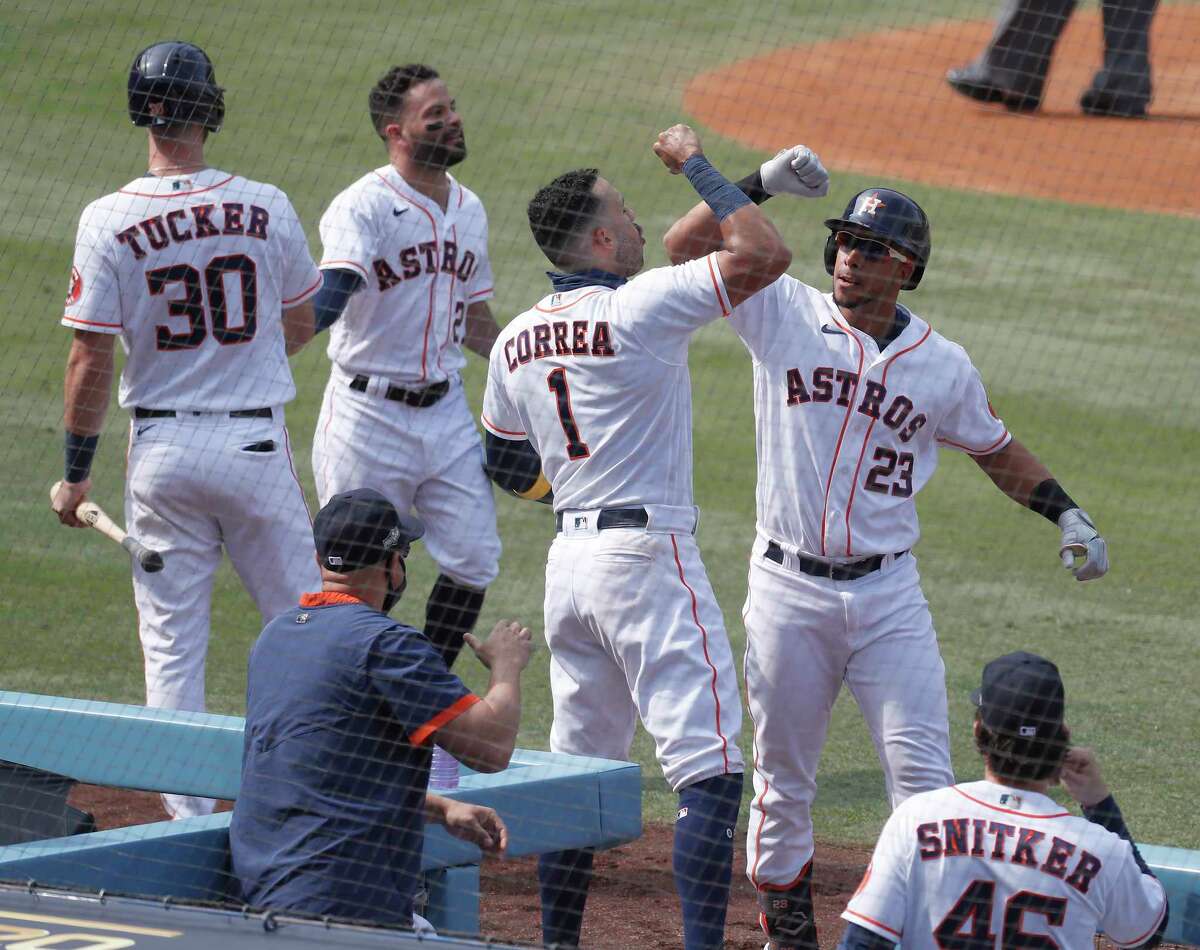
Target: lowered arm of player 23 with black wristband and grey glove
x: 1018, y: 473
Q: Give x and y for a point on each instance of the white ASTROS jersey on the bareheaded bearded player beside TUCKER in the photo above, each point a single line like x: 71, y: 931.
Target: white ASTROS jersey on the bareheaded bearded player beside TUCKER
x: 423, y: 268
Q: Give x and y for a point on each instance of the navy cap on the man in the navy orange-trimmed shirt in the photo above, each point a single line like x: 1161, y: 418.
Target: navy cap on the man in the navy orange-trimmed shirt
x: 359, y: 530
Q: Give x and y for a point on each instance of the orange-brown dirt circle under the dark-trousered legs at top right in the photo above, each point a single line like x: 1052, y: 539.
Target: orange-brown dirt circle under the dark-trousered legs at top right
x: 878, y: 104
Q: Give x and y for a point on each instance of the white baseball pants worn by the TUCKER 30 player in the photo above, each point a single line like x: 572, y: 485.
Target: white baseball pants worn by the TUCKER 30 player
x: 195, y: 485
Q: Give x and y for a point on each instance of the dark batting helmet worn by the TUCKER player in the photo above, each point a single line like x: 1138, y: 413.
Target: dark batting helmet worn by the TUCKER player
x: 173, y: 82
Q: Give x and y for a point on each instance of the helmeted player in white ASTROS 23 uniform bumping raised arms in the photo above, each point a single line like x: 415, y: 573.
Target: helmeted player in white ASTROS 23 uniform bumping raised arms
x: 854, y: 396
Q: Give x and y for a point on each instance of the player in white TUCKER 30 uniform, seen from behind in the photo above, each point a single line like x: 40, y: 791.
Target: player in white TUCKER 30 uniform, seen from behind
x: 206, y: 278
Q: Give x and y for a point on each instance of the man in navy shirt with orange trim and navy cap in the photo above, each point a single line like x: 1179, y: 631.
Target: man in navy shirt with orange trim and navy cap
x: 343, y: 706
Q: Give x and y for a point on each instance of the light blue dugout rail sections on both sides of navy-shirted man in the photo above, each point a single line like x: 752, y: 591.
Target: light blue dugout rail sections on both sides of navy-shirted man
x: 549, y: 803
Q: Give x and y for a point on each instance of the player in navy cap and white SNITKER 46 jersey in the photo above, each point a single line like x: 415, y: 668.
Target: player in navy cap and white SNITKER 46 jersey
x: 999, y: 864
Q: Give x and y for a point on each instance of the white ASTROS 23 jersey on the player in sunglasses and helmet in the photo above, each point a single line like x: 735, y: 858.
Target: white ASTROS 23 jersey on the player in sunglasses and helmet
x: 848, y: 436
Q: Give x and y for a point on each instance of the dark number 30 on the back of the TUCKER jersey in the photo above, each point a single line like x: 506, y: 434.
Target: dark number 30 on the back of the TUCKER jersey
x: 191, y: 303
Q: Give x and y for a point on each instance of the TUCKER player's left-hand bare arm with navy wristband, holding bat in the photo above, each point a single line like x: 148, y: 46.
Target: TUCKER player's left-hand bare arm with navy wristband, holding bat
x: 86, y: 393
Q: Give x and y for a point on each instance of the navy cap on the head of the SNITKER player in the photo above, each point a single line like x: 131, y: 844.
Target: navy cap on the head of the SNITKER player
x: 1023, y: 696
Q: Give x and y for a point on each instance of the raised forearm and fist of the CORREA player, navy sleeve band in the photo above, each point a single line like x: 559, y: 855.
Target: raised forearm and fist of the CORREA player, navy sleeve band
x: 754, y: 255
